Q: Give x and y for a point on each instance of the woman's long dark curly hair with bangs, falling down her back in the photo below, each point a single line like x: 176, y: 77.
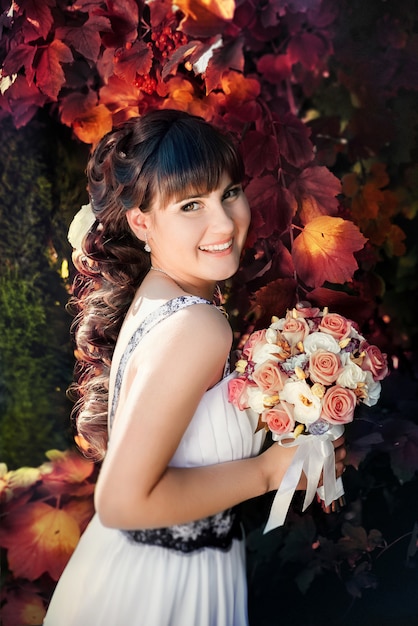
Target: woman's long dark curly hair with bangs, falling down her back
x: 163, y: 152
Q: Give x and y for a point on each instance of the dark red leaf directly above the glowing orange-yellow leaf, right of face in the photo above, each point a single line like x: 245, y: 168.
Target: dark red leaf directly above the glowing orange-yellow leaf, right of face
x: 316, y: 189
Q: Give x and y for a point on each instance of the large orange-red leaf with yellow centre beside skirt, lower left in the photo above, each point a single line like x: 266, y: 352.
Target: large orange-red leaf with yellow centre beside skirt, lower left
x: 39, y: 538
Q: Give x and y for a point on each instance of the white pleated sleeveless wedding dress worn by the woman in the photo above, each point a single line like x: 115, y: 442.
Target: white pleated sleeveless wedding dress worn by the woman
x: 113, y: 579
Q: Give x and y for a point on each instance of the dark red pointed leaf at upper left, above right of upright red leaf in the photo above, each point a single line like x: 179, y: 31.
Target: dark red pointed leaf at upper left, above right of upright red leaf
x: 85, y: 38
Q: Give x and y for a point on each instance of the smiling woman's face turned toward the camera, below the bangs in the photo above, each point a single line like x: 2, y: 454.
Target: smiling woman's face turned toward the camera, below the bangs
x: 199, y: 239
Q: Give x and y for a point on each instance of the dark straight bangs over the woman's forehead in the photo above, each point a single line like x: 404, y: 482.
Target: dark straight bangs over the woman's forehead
x: 192, y: 161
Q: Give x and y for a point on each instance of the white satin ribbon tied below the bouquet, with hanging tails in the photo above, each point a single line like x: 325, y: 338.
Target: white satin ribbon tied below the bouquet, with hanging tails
x: 314, y: 454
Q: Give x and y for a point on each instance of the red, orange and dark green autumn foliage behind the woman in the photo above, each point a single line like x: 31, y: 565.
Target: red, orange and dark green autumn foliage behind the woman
x: 322, y: 96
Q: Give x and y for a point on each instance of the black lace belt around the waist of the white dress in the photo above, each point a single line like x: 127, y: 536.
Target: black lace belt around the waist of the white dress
x: 216, y: 531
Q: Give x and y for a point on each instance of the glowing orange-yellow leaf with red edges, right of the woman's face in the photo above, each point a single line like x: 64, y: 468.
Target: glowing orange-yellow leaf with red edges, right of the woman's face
x: 323, y: 252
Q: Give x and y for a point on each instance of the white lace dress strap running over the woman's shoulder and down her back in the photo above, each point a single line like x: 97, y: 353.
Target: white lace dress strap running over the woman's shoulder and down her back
x: 154, y: 318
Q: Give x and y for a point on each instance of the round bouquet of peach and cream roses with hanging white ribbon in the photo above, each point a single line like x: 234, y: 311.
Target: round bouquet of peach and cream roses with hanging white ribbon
x: 305, y: 374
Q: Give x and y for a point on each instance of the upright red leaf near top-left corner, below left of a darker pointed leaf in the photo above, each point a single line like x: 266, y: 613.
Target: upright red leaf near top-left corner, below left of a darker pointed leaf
x: 49, y: 73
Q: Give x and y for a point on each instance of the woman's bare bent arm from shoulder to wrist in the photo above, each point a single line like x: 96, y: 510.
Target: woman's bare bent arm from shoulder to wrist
x: 136, y: 488
